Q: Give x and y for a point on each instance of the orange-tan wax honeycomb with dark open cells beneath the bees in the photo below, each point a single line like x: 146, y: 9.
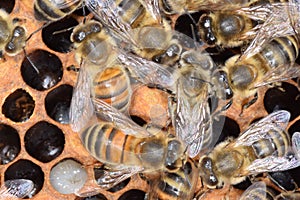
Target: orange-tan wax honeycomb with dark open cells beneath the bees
x: 34, y: 112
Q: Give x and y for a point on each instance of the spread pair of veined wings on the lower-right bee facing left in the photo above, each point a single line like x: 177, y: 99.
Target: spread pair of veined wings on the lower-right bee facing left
x: 259, y: 131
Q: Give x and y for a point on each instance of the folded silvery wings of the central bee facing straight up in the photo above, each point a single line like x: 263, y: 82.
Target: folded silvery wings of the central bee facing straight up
x: 191, y: 122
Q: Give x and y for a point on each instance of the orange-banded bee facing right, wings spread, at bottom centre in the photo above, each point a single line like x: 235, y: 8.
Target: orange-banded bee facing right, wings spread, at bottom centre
x: 127, y: 148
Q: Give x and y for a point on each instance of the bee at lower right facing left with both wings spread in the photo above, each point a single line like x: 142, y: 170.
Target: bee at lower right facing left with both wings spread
x: 263, y: 147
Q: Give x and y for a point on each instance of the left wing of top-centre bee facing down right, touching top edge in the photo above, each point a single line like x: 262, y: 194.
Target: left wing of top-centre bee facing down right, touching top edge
x: 107, y: 12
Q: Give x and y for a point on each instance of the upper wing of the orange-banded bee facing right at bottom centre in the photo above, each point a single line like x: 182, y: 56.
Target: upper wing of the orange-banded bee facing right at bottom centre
x: 121, y: 121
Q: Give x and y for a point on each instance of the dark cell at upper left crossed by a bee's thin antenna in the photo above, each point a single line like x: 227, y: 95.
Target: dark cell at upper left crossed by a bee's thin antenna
x: 56, y: 36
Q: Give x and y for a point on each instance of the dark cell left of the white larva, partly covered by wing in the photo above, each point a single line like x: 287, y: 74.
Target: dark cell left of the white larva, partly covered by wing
x: 25, y: 169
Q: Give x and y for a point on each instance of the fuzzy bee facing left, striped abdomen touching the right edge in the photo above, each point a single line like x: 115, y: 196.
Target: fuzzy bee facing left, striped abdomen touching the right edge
x: 275, y: 63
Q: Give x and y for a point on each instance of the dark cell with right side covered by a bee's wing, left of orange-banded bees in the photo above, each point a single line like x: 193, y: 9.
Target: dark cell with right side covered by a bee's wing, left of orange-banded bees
x: 57, y: 103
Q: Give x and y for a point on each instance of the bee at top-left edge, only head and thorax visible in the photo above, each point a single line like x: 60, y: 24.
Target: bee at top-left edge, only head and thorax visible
x: 13, y: 35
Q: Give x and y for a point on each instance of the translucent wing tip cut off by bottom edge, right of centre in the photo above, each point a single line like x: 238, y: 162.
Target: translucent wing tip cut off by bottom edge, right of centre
x: 257, y: 189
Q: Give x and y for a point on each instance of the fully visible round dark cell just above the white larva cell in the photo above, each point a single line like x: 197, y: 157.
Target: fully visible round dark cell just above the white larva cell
x: 44, y: 141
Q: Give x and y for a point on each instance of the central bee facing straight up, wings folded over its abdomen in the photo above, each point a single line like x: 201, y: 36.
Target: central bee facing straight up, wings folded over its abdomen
x: 191, y: 114
